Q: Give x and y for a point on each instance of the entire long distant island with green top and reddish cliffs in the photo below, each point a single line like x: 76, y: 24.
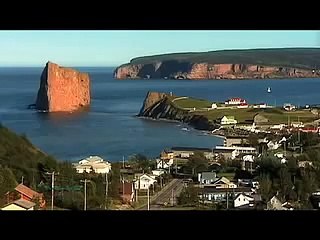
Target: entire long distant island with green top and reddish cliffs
x: 228, y: 64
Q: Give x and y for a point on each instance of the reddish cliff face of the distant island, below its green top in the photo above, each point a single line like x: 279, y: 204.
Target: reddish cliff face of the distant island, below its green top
x: 186, y: 70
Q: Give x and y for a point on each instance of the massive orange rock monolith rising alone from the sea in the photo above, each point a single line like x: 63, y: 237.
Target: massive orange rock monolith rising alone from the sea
x: 62, y: 89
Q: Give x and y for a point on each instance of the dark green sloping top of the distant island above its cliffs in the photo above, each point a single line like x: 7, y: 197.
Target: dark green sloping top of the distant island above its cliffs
x: 308, y: 58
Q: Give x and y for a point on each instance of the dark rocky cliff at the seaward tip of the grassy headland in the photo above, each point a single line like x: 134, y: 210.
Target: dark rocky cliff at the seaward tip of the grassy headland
x: 159, y: 106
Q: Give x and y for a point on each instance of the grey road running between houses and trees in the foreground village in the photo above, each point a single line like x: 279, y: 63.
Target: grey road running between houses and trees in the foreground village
x: 165, y: 196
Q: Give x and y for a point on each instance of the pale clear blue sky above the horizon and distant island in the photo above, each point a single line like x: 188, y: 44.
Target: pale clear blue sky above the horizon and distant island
x: 112, y: 48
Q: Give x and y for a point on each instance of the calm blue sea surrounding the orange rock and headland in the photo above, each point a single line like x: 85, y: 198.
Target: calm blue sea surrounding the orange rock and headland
x: 110, y: 129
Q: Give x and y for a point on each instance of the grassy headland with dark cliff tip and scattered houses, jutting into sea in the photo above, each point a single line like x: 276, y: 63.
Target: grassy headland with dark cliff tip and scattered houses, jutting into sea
x: 234, y: 113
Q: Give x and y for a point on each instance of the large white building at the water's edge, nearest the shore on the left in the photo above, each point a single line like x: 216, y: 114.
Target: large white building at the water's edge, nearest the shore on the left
x: 93, y: 163
